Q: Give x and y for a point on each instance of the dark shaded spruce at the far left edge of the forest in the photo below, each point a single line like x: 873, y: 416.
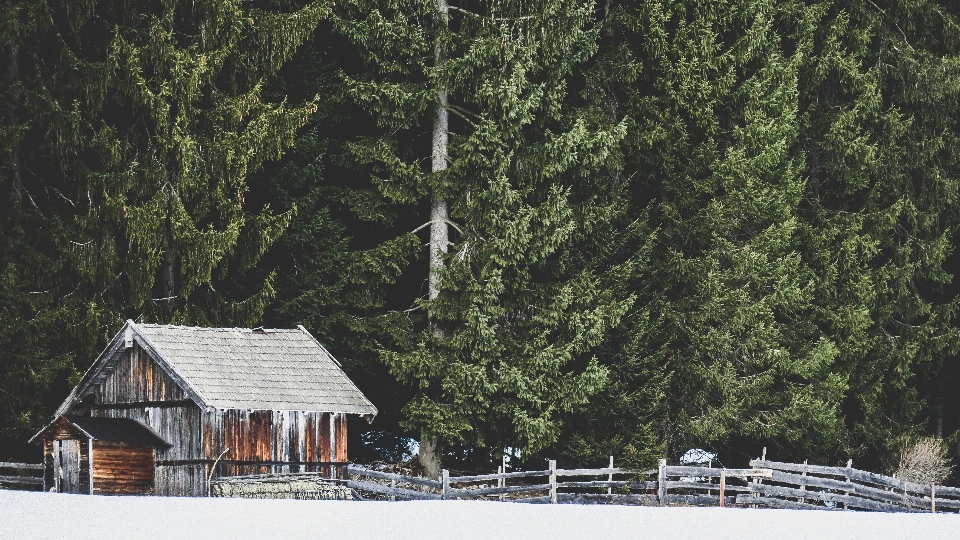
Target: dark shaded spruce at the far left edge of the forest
x: 32, y: 319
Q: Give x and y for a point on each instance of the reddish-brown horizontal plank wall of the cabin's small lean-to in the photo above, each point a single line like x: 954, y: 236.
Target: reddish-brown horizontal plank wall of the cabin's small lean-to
x: 122, y: 469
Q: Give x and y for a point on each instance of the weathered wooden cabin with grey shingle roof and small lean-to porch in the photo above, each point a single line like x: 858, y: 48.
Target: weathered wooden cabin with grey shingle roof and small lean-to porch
x: 165, y: 408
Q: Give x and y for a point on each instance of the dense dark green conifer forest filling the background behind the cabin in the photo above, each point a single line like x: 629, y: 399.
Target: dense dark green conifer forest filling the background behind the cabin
x: 717, y: 223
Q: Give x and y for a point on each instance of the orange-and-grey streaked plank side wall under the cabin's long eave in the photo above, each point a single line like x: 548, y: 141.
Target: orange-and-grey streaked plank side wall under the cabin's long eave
x: 263, y: 442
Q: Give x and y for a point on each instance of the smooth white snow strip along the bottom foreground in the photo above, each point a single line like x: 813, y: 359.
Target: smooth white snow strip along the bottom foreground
x: 26, y: 515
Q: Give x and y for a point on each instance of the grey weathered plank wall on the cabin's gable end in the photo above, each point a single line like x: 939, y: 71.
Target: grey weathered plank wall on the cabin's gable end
x: 139, y: 389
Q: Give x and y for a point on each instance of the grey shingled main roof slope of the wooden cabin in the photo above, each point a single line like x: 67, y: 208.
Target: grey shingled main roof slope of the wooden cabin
x: 239, y: 368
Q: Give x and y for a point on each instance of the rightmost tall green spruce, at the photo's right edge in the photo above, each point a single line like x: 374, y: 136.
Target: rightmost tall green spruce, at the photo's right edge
x: 879, y: 106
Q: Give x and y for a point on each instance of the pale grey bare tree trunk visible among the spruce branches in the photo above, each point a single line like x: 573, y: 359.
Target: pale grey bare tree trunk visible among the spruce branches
x: 428, y: 456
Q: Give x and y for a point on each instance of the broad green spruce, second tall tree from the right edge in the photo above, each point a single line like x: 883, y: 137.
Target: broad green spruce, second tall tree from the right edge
x: 721, y: 351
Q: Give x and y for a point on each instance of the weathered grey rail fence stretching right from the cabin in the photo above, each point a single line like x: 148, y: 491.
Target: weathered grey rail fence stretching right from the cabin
x: 766, y: 483
